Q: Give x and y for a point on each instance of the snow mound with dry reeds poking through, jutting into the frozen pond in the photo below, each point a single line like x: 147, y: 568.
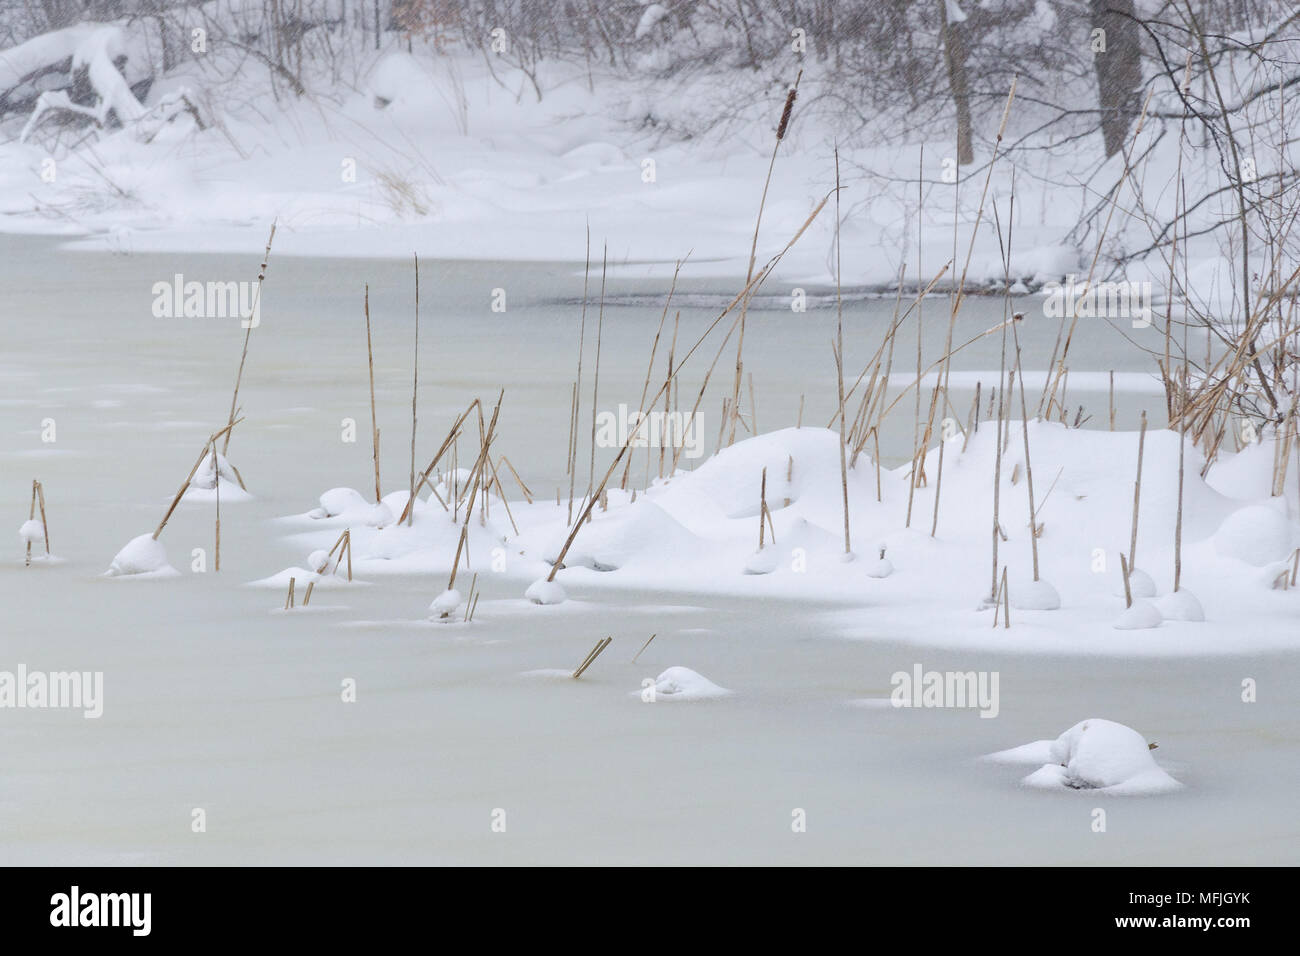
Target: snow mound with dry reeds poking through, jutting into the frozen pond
x: 697, y: 533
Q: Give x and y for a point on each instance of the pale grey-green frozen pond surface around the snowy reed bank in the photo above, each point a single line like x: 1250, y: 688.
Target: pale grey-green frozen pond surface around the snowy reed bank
x: 215, y: 700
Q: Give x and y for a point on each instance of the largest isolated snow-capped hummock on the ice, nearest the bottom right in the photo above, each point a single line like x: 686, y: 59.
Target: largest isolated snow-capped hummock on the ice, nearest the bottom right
x: 1093, y: 755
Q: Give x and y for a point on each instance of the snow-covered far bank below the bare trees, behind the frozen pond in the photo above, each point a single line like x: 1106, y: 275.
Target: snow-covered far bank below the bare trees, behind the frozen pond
x: 435, y: 153
